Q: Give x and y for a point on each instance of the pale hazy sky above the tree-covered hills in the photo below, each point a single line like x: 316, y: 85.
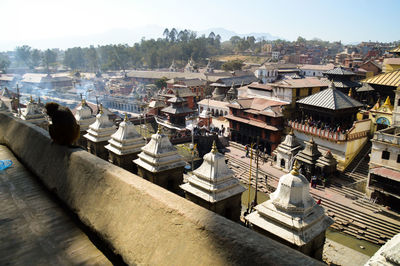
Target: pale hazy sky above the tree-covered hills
x: 39, y: 21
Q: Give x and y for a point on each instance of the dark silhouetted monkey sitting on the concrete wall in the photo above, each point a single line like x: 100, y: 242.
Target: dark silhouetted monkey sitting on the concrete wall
x: 64, y: 129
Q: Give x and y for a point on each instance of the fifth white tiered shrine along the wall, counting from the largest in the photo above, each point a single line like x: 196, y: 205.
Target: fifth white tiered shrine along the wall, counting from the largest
x: 98, y: 135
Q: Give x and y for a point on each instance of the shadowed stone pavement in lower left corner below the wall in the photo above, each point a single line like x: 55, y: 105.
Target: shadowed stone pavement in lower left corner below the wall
x: 35, y: 230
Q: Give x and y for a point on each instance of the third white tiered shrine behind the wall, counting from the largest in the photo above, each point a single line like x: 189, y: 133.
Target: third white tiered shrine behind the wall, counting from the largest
x: 160, y: 163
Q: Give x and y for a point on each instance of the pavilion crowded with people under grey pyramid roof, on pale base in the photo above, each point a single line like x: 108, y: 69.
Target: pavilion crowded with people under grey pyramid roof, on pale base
x: 329, y: 117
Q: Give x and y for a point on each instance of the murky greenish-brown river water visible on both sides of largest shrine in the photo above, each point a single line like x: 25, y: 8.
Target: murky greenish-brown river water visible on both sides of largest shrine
x: 361, y: 246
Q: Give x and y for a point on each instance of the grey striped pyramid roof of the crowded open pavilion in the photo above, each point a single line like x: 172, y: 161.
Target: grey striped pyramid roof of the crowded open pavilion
x: 331, y: 98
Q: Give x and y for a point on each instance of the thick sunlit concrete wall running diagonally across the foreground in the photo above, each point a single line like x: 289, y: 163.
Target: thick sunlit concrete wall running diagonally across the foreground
x: 142, y: 222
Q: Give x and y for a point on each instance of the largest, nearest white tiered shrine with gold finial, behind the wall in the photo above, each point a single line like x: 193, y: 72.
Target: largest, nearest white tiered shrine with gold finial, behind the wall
x: 292, y: 217
